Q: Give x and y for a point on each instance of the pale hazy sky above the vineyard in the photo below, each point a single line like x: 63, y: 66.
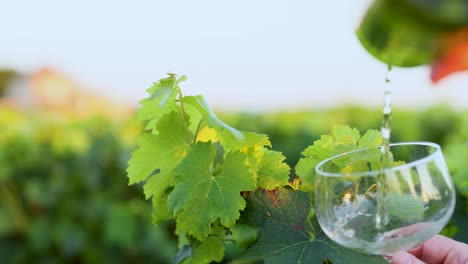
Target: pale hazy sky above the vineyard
x: 255, y: 55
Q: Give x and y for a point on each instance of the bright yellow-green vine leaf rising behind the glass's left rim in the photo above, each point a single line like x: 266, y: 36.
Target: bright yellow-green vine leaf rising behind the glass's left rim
x: 343, y: 138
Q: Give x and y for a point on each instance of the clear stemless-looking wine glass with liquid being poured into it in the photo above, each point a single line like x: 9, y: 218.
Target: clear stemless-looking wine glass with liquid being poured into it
x: 380, y: 211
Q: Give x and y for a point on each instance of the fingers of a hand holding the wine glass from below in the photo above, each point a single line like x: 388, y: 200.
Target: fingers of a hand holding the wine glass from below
x: 437, y: 250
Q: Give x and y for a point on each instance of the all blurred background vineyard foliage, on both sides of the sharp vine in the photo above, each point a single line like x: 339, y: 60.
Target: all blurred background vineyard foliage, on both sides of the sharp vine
x: 64, y: 194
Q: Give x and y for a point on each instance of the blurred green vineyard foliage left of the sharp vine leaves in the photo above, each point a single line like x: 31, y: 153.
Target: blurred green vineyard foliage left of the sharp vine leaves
x: 64, y: 195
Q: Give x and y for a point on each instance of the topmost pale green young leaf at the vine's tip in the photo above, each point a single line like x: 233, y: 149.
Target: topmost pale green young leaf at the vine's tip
x: 161, y: 100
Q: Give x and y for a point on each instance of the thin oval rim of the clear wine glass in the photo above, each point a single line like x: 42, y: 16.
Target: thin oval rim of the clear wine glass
x: 377, y: 172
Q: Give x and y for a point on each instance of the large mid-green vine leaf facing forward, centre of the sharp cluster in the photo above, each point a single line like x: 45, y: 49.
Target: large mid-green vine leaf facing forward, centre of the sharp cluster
x: 202, y: 195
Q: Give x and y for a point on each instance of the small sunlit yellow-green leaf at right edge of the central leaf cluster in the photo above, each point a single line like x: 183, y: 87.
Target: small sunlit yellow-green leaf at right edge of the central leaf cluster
x: 273, y: 172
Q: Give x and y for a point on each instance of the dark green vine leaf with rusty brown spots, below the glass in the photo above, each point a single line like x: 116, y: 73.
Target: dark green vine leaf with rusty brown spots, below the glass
x: 286, y: 234
